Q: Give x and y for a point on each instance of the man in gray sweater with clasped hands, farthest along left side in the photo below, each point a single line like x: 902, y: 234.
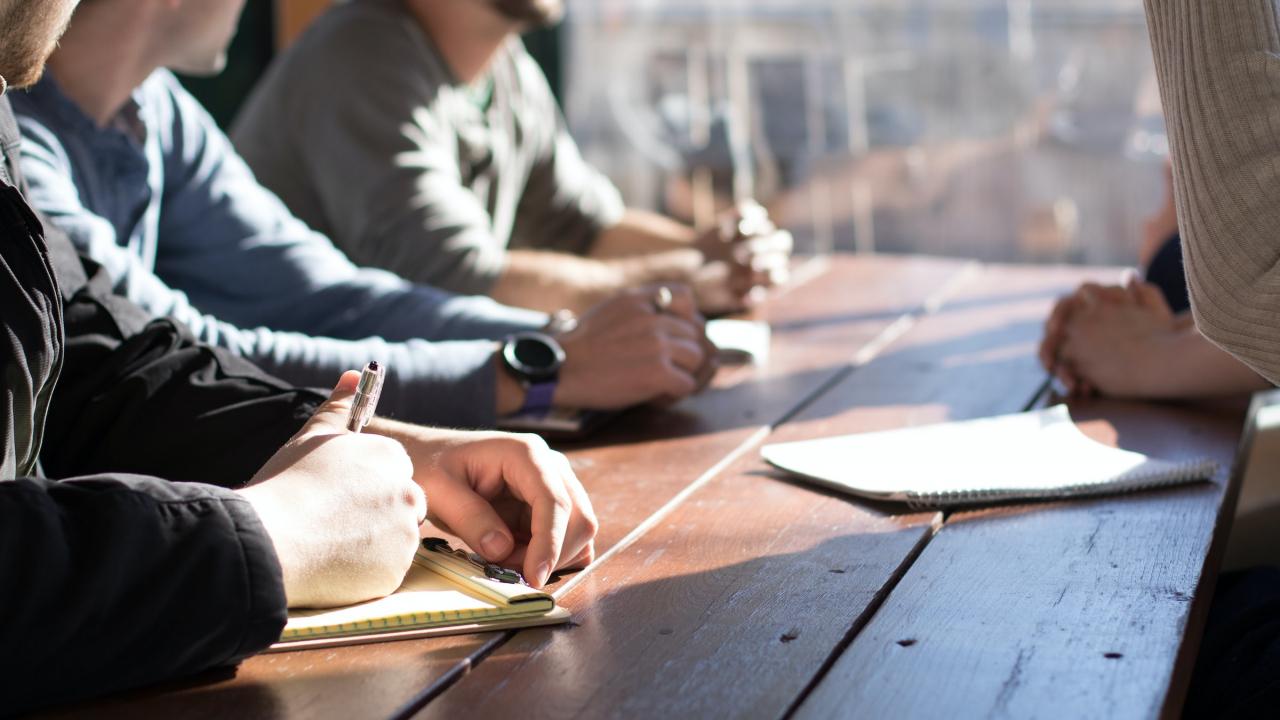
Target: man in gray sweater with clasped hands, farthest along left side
x: 469, y: 180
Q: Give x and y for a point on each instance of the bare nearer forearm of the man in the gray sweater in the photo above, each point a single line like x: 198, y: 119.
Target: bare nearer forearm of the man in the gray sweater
x: 555, y: 281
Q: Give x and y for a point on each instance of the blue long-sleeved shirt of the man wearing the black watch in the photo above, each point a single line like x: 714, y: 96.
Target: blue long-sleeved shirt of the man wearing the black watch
x: 163, y: 202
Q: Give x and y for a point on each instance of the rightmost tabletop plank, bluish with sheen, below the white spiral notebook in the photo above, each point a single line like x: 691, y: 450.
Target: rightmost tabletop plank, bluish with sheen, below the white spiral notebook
x: 1089, y: 605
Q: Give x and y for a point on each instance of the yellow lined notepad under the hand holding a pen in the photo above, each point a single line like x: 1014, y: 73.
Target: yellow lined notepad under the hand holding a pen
x: 444, y: 594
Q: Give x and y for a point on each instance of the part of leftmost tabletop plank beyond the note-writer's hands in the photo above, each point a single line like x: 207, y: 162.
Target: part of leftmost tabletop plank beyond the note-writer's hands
x: 644, y: 459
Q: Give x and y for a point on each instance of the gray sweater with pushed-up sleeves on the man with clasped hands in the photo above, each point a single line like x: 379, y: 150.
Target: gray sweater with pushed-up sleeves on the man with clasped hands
x: 367, y: 135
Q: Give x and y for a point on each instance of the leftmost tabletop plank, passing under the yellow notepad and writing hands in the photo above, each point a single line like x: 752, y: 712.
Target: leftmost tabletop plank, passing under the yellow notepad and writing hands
x: 636, y: 468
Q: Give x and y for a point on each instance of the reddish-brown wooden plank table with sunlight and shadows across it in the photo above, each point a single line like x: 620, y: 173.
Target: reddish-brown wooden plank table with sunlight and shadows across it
x: 728, y: 591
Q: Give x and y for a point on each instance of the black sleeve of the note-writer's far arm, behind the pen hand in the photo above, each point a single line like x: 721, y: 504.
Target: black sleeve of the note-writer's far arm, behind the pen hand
x: 143, y: 397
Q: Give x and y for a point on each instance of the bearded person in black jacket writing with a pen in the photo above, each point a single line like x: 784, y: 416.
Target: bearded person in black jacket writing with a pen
x: 156, y: 516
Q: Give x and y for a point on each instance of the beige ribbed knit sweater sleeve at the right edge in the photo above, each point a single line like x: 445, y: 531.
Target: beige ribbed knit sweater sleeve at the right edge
x: 1219, y: 69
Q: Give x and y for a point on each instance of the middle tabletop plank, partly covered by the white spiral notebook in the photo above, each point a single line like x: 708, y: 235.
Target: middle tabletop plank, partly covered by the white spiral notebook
x: 735, y: 603
